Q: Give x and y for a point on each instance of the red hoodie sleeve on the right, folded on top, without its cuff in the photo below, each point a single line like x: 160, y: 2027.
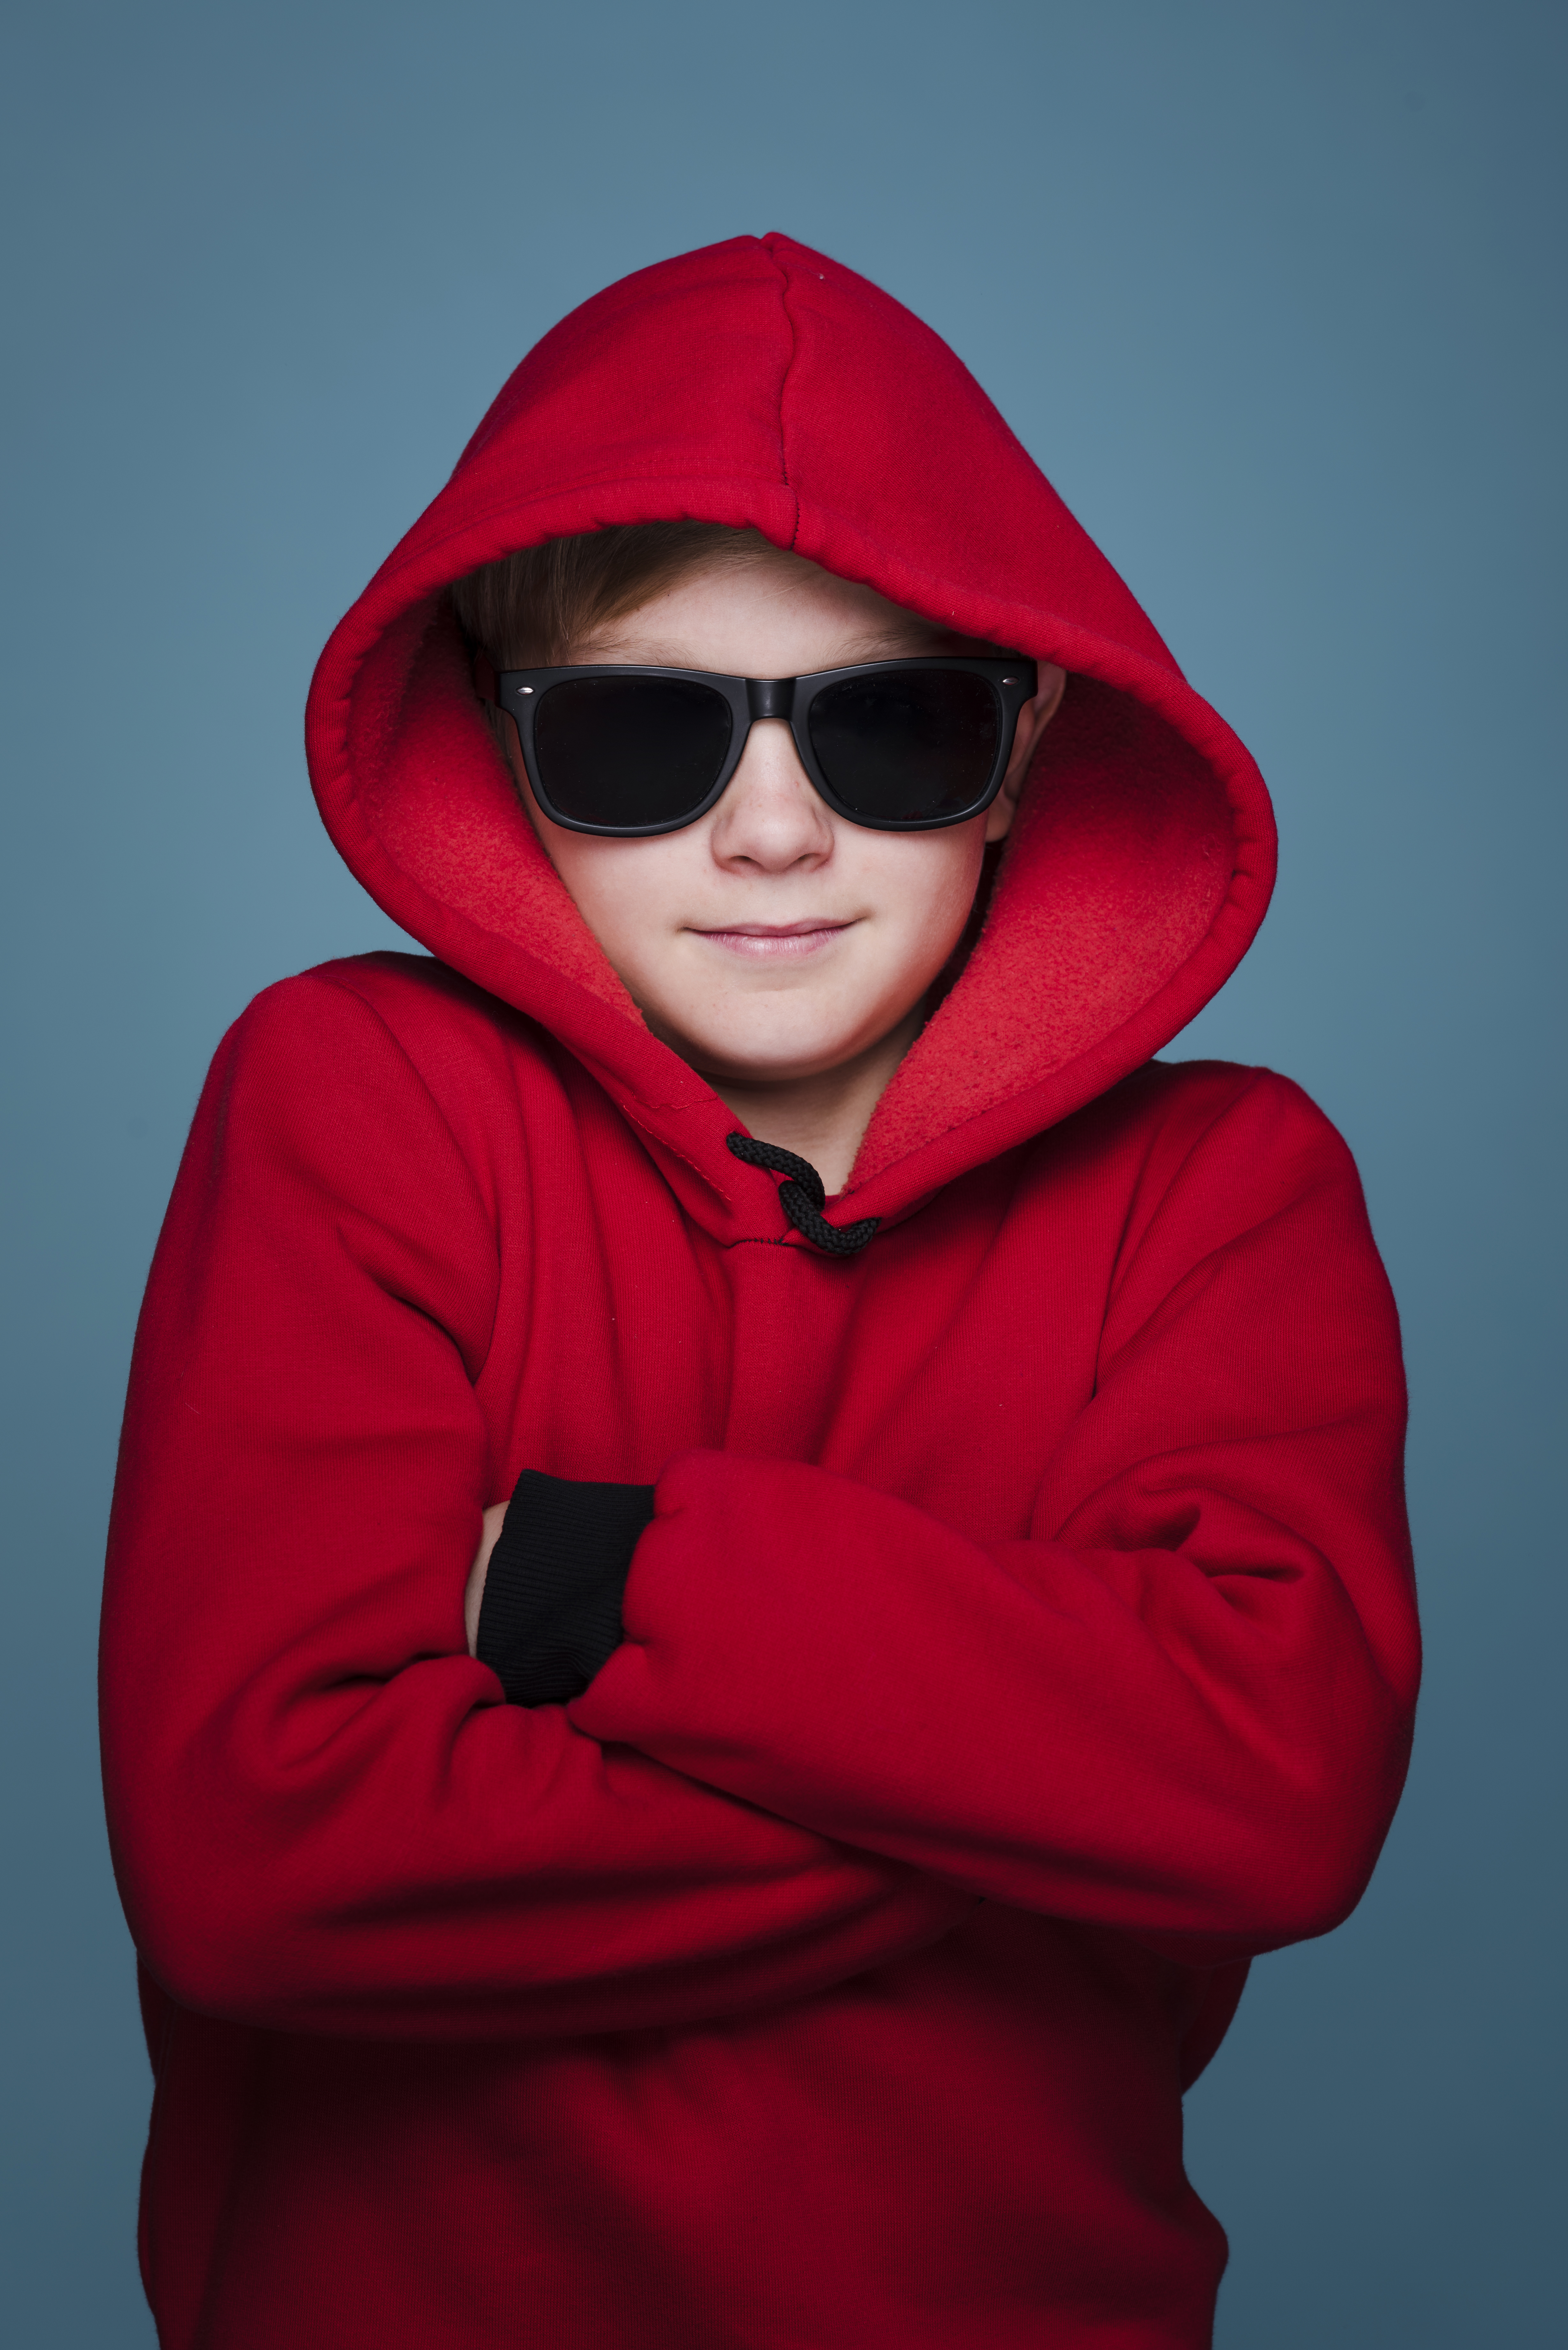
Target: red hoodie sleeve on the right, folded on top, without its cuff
x: 1184, y: 1705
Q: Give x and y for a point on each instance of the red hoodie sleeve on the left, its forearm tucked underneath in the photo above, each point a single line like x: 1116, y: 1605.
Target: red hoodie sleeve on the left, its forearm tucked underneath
x: 323, y: 1815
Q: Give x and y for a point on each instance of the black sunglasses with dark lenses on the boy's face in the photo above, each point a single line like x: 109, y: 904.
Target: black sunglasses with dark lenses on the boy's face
x: 902, y: 746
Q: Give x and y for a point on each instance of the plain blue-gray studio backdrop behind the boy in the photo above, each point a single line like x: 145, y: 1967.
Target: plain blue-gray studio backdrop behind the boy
x: 1275, y: 297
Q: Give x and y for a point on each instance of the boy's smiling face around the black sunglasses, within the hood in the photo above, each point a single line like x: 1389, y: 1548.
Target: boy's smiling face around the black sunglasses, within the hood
x: 772, y: 939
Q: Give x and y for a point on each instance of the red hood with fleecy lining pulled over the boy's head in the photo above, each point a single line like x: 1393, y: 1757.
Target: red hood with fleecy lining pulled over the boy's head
x: 763, y: 384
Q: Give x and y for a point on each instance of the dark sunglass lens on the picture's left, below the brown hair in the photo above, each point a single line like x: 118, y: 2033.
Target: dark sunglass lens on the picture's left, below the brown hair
x: 631, y: 753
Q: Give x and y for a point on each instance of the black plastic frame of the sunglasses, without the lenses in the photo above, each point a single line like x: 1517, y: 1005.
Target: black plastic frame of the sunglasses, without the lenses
x: 1014, y: 683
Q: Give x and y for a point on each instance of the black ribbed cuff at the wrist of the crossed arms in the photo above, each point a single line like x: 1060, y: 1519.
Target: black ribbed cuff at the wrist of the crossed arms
x: 551, y: 1611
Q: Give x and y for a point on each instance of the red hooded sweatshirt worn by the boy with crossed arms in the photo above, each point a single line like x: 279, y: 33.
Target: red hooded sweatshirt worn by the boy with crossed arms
x: 1026, y: 1630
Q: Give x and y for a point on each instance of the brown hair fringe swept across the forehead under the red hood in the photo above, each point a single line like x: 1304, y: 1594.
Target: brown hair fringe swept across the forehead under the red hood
x: 530, y: 610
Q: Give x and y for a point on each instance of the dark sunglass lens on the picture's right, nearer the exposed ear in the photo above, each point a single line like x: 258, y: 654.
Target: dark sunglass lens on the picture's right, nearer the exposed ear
x: 909, y: 746
